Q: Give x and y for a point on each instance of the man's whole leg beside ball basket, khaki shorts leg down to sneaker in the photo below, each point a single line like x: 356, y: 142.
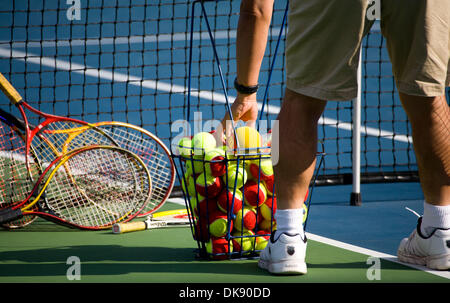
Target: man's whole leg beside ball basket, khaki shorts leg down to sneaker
x: 313, y: 74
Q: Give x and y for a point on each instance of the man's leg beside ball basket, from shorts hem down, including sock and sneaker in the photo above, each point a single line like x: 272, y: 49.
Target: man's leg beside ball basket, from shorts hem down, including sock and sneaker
x: 297, y: 147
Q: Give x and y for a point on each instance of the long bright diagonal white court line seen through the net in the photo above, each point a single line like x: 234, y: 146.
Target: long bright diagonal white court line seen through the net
x: 173, y: 88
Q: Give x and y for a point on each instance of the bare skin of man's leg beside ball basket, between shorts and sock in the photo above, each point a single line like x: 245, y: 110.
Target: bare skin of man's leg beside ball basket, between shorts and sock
x: 297, y: 133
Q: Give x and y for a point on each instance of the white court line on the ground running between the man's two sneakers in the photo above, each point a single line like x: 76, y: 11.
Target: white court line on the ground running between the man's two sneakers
x: 373, y: 253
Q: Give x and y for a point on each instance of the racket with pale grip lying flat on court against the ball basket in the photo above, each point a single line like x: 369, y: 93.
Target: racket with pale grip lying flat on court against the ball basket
x: 163, y: 219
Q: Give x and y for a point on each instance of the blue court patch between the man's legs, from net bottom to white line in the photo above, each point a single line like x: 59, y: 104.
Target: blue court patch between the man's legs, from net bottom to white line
x: 378, y: 224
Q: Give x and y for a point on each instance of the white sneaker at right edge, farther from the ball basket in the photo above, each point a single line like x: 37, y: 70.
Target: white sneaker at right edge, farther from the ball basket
x: 432, y: 251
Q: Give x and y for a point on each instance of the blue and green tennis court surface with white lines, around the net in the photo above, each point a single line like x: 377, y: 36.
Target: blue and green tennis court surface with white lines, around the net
x: 129, y: 61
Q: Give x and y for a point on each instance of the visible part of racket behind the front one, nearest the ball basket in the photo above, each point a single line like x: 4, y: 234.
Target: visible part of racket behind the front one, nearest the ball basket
x: 149, y: 148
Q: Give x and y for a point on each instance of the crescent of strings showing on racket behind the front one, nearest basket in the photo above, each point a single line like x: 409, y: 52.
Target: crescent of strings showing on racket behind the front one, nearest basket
x: 152, y: 154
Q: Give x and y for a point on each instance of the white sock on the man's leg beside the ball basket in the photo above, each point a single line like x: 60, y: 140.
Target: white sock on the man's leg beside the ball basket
x: 289, y: 221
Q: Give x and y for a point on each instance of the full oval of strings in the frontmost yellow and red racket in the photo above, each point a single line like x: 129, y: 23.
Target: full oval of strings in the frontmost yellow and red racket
x: 101, y: 186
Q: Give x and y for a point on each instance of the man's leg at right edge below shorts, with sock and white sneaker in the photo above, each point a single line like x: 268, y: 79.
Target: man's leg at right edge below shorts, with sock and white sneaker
x: 429, y: 244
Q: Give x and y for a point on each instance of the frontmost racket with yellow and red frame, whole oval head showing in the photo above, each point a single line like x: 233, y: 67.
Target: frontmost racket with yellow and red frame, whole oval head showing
x: 106, y: 185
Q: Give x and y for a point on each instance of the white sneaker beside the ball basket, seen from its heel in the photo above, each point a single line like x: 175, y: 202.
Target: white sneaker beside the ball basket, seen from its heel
x: 285, y: 256
